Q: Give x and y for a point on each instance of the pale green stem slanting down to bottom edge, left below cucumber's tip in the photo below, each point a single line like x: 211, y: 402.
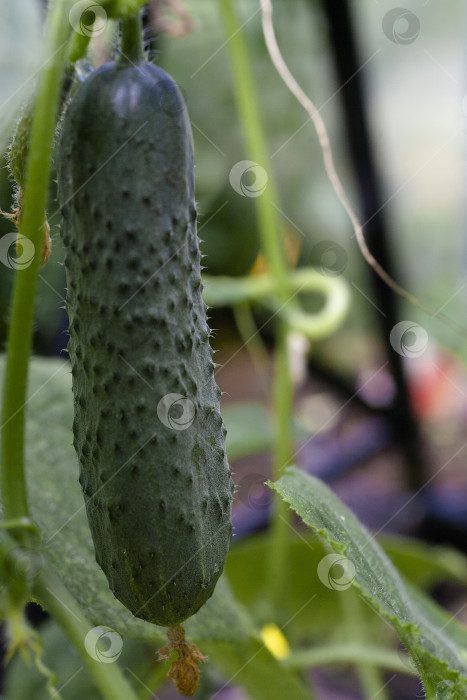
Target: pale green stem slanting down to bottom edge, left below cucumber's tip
x: 55, y: 598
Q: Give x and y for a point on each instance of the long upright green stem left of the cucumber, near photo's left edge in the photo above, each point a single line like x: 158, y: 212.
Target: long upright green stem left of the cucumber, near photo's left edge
x: 22, y: 310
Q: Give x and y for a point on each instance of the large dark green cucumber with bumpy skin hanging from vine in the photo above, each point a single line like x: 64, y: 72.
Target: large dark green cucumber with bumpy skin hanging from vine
x: 158, y: 500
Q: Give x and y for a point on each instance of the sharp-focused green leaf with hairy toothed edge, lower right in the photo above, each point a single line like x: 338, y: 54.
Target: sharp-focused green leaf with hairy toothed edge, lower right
x: 439, y: 656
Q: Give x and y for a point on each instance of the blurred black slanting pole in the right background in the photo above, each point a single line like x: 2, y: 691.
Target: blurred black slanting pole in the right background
x: 347, y: 64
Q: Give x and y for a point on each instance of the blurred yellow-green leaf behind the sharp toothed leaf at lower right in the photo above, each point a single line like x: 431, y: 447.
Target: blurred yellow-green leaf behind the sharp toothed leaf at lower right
x: 319, y: 621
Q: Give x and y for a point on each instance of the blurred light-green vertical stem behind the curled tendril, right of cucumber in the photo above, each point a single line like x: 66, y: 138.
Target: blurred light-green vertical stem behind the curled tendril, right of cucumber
x: 269, y: 228
